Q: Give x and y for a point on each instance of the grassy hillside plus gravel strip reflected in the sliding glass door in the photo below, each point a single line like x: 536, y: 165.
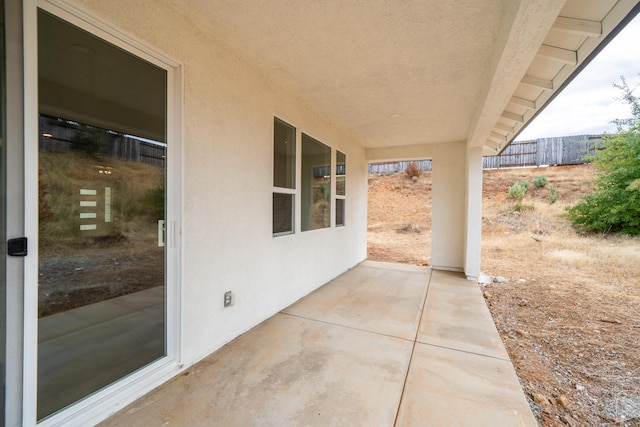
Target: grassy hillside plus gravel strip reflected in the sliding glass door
x: 120, y: 255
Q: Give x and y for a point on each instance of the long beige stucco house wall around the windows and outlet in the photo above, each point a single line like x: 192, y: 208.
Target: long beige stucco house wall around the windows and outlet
x: 227, y: 242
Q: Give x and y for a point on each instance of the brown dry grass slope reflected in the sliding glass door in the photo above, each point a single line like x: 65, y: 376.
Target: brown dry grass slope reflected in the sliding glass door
x: 64, y: 174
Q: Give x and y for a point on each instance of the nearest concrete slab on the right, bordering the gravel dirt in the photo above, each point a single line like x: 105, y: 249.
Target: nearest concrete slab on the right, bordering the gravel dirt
x: 447, y: 387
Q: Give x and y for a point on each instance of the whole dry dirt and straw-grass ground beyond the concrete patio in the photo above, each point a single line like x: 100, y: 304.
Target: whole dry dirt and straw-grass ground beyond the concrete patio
x: 566, y: 305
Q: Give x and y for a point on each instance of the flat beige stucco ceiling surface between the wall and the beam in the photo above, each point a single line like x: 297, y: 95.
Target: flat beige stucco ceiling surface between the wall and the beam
x: 387, y: 87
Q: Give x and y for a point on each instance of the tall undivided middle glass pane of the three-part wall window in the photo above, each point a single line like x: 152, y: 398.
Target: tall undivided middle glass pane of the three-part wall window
x: 316, y: 184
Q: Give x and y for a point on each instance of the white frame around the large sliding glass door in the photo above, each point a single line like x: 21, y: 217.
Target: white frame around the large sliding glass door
x: 105, y: 402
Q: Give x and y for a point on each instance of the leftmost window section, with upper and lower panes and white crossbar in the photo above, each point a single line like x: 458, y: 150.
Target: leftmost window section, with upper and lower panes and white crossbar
x: 284, y: 177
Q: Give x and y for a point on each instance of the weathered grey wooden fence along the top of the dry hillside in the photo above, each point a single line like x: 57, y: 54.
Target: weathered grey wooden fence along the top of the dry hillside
x: 564, y: 150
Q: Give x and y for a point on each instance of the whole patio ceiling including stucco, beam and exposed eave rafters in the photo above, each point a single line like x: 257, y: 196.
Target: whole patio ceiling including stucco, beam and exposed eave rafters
x: 418, y: 72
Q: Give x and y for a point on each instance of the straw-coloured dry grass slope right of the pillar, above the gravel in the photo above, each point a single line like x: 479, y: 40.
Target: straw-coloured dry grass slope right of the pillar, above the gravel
x: 542, y: 242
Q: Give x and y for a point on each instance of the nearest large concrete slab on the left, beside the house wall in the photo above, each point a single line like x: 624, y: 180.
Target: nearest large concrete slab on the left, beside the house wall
x: 288, y: 371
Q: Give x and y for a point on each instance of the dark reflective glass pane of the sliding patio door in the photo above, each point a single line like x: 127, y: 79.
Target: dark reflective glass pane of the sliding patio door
x: 101, y: 164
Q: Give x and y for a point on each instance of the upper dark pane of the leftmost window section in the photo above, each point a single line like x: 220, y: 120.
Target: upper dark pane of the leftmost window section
x: 284, y: 155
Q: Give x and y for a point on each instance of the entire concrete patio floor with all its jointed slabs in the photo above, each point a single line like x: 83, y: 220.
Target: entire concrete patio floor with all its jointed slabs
x: 355, y: 352
